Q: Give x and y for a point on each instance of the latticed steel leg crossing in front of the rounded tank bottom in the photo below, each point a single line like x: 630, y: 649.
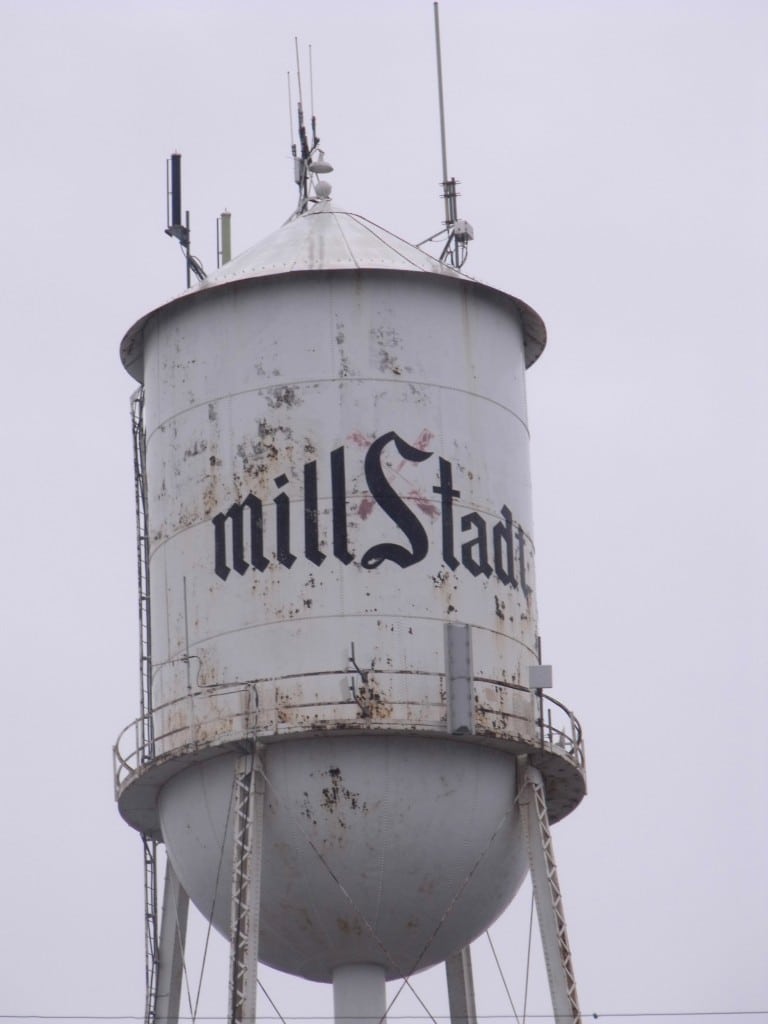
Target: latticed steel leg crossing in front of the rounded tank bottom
x: 244, y: 944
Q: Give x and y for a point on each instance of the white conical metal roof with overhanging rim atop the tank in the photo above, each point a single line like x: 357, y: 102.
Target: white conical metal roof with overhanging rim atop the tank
x: 325, y: 239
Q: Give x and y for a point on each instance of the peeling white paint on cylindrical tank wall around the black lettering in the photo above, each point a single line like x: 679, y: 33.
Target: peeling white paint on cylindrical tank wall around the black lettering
x: 248, y: 387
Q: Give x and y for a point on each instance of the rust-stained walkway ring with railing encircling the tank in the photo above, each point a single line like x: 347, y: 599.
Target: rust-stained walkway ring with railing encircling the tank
x: 212, y: 722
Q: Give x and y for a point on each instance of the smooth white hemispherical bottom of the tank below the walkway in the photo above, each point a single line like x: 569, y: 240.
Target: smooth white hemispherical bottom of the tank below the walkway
x: 388, y: 850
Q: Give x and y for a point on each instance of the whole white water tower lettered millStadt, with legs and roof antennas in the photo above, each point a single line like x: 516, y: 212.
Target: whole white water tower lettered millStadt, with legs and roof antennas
x: 346, y: 744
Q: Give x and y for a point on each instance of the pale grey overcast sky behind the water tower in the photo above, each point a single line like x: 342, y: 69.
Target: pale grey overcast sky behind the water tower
x: 614, y: 161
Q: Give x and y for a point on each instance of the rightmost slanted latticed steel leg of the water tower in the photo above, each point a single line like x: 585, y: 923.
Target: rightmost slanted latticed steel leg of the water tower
x: 548, y: 899
